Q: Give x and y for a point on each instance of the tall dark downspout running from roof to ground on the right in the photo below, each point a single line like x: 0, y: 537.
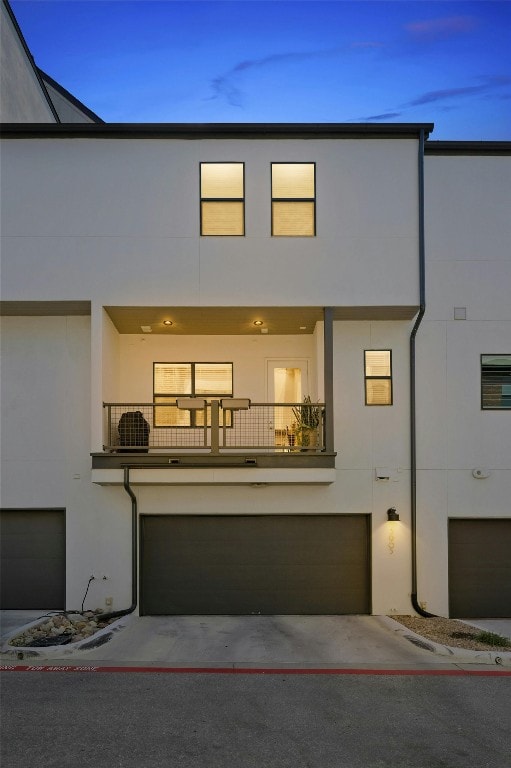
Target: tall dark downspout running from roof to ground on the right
x: 413, y: 415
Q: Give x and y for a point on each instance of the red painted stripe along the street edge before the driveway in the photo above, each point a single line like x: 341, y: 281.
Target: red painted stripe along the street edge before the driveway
x: 258, y: 670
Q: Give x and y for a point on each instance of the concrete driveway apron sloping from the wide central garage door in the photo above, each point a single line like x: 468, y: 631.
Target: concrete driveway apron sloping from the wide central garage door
x: 257, y: 641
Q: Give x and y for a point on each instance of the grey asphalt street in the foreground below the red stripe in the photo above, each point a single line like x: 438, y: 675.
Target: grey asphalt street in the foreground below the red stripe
x: 144, y: 720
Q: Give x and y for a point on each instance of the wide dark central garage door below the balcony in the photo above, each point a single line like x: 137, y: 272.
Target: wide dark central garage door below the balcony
x: 276, y: 564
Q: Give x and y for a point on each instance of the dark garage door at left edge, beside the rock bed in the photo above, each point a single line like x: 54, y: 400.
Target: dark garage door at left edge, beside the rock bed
x: 32, y: 559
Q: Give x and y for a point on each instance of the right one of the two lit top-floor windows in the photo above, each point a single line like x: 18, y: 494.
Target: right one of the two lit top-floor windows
x: 293, y: 199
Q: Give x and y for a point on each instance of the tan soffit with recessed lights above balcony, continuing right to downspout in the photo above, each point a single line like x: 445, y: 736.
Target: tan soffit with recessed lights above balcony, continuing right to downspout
x: 219, y: 321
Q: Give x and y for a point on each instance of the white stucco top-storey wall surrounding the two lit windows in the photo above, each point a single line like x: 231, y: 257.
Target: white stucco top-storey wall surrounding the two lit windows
x: 128, y: 210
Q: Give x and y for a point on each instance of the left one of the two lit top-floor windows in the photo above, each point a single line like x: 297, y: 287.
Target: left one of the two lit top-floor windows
x: 222, y: 192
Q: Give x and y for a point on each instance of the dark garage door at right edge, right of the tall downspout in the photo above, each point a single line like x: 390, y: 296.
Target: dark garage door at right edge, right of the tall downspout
x: 480, y: 568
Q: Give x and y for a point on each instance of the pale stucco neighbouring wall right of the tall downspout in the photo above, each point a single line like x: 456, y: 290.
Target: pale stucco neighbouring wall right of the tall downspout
x: 468, y: 245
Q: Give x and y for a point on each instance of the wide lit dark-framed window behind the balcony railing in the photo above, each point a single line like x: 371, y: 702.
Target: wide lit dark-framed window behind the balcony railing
x: 175, y: 380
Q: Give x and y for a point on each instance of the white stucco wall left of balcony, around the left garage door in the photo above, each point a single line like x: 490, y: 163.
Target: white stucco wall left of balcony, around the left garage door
x: 45, y: 453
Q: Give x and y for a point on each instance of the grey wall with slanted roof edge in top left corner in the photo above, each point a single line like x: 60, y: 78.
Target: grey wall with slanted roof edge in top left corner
x: 23, y: 98
